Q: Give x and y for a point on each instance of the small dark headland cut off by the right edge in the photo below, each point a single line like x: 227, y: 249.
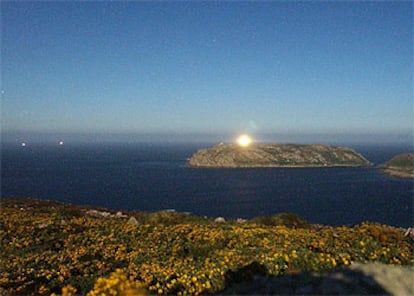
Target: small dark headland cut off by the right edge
x: 400, y: 166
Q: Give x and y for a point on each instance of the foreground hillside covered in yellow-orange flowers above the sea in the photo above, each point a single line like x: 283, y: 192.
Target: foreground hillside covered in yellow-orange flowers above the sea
x: 49, y: 247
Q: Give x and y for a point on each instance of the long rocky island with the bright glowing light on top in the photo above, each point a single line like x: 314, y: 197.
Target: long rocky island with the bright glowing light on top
x: 276, y: 155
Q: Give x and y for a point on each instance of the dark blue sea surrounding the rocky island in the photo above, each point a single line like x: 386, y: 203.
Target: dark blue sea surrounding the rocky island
x: 153, y: 177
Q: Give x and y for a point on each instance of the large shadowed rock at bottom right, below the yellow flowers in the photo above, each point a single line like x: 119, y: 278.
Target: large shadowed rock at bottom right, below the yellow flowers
x: 357, y: 279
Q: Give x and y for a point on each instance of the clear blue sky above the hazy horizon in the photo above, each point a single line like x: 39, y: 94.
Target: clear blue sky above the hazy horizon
x: 207, y: 67
